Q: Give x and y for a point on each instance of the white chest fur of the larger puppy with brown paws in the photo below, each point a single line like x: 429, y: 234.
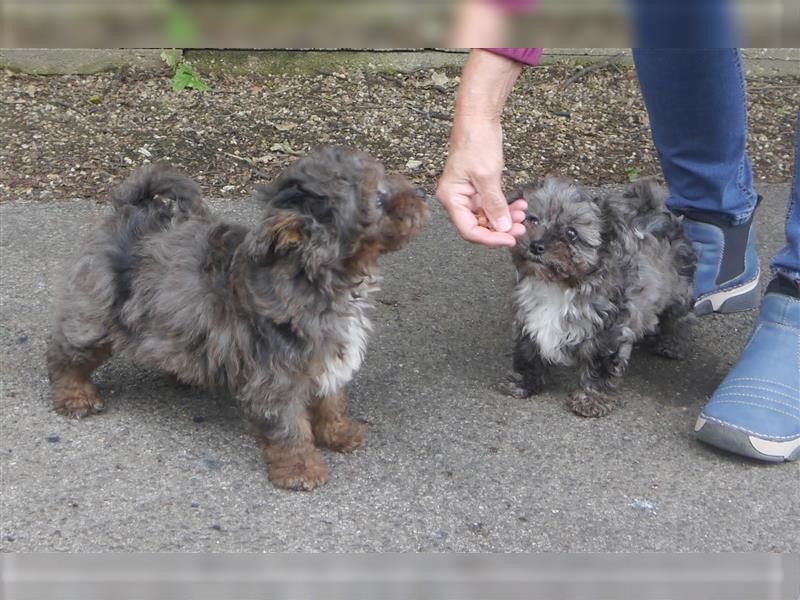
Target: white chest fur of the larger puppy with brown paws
x: 352, y: 330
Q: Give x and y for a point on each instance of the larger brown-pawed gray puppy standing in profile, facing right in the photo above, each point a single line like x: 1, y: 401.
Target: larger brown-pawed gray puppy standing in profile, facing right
x: 277, y: 313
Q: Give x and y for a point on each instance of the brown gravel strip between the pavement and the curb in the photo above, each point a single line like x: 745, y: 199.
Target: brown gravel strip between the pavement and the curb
x: 75, y: 136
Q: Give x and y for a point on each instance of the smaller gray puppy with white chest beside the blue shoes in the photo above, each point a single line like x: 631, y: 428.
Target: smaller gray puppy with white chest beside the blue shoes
x: 595, y: 275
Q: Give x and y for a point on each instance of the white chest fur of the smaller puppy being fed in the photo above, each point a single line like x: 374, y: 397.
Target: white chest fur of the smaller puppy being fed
x: 547, y: 313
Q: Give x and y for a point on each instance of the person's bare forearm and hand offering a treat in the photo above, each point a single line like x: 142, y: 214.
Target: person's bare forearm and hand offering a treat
x: 471, y: 180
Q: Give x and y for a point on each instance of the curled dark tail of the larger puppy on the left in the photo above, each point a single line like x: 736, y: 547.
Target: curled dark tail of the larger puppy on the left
x: 158, y: 187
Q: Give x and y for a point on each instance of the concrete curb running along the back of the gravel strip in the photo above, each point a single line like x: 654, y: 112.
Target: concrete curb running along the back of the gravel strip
x: 67, y: 61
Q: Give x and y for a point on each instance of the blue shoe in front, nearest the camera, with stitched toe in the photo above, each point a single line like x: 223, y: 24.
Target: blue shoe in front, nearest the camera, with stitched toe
x: 756, y: 409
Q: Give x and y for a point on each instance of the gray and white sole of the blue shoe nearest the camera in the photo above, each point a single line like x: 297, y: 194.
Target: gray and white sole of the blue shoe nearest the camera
x: 741, y: 442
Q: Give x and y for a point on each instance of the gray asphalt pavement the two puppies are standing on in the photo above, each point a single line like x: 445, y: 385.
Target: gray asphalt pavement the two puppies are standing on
x: 450, y: 465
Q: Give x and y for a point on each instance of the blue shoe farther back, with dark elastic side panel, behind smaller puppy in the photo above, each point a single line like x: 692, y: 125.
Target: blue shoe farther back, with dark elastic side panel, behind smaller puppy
x: 726, y: 279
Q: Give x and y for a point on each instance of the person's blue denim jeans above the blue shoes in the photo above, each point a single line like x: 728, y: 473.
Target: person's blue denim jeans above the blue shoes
x: 696, y: 101
